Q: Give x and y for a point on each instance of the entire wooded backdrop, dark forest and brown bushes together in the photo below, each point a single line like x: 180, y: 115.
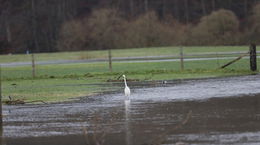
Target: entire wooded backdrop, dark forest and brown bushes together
x: 69, y: 25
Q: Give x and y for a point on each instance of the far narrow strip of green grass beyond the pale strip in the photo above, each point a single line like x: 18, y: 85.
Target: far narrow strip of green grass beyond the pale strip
x: 154, y: 51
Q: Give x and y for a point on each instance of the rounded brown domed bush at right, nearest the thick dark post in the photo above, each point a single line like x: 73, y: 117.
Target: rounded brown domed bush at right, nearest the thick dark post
x: 219, y: 28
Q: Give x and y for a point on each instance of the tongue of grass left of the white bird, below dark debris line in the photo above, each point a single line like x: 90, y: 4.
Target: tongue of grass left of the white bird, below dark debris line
x: 49, y: 90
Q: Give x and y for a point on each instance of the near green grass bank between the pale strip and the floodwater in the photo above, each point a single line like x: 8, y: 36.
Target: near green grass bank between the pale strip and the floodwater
x: 67, y: 81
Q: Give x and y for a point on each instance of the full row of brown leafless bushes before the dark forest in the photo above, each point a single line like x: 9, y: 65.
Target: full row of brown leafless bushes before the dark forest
x: 107, y: 29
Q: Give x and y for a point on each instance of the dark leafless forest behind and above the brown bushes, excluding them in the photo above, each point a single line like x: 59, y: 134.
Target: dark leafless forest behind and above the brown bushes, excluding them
x: 40, y: 21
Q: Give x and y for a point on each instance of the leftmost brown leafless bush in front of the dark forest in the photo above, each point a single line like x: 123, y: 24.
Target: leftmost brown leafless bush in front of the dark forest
x: 103, y: 29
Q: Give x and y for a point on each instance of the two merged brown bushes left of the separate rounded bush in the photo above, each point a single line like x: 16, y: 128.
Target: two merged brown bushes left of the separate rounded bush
x: 105, y: 29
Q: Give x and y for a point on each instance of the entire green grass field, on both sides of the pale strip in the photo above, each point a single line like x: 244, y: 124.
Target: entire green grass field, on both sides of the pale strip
x: 63, y: 82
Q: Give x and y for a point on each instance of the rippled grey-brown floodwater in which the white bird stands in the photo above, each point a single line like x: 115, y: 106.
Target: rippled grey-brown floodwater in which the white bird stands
x: 204, y: 111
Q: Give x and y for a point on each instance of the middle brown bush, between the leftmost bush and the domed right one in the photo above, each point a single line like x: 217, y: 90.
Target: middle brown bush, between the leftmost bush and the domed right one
x: 147, y: 30
